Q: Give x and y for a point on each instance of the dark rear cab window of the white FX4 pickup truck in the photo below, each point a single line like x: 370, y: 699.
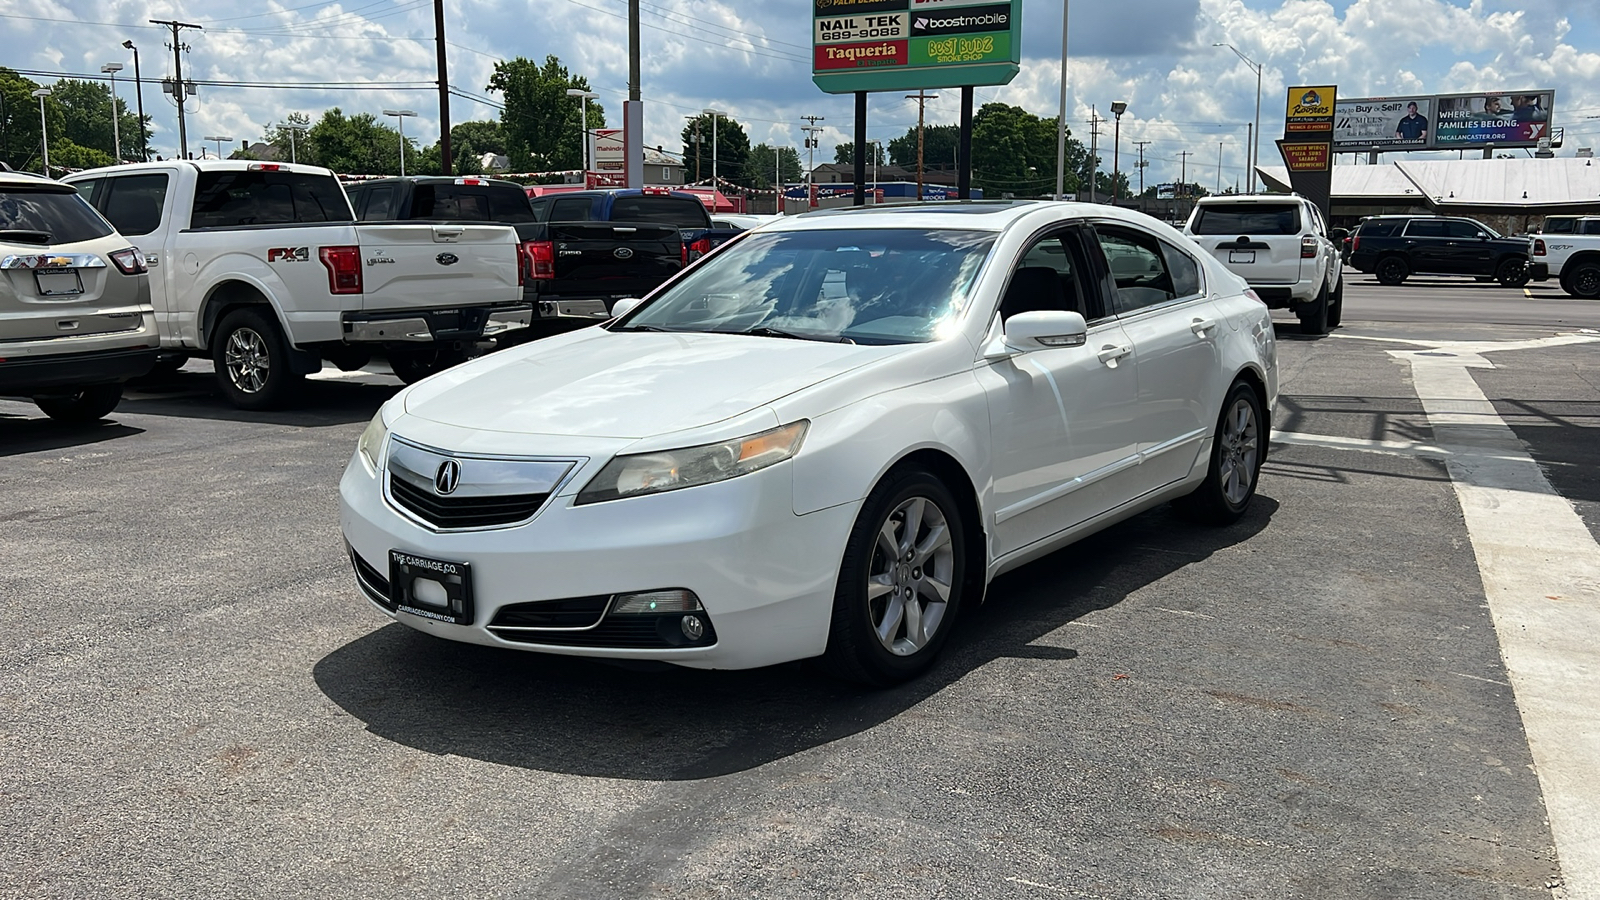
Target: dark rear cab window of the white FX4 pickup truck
x: 226, y: 199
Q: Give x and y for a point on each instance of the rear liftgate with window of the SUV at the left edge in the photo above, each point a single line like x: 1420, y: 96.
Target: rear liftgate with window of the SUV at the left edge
x: 55, y: 273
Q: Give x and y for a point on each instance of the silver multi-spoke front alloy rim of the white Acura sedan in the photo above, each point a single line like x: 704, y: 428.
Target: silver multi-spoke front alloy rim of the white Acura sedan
x: 911, y: 576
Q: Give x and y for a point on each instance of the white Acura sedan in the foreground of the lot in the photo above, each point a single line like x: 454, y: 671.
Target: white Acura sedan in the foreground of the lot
x: 823, y: 440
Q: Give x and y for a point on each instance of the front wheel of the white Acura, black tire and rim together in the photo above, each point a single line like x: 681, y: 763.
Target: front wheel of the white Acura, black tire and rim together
x: 902, y: 582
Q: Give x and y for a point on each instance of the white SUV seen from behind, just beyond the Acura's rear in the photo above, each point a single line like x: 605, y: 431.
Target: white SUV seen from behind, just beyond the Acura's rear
x: 1279, y: 244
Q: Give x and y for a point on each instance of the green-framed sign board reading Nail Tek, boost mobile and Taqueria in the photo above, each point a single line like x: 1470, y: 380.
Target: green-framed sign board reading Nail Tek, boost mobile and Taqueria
x: 894, y: 46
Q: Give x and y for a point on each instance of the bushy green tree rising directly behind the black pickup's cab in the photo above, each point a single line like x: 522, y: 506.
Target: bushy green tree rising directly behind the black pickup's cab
x: 542, y: 124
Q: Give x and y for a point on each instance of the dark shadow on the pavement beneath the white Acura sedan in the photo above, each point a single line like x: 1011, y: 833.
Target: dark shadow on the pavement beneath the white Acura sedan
x: 585, y: 718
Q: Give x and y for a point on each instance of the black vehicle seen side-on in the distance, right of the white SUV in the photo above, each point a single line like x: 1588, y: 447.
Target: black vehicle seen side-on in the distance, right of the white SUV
x: 1399, y: 247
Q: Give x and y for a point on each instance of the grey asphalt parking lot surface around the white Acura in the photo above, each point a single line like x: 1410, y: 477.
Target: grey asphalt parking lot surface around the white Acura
x: 1308, y: 704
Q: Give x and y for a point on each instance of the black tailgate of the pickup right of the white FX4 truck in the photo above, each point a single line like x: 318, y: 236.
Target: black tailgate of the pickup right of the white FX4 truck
x: 614, y: 259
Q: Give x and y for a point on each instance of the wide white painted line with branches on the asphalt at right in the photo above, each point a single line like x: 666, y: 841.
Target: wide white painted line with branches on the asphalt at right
x: 1542, y: 576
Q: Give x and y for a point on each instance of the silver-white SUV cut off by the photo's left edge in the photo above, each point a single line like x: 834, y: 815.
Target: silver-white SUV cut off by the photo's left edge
x: 76, y: 316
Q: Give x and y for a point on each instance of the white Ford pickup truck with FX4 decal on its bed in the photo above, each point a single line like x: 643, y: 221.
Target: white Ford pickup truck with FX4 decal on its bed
x: 263, y: 270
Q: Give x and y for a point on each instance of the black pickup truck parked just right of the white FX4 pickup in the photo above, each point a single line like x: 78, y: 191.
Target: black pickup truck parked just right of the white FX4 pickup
x: 572, y: 271
